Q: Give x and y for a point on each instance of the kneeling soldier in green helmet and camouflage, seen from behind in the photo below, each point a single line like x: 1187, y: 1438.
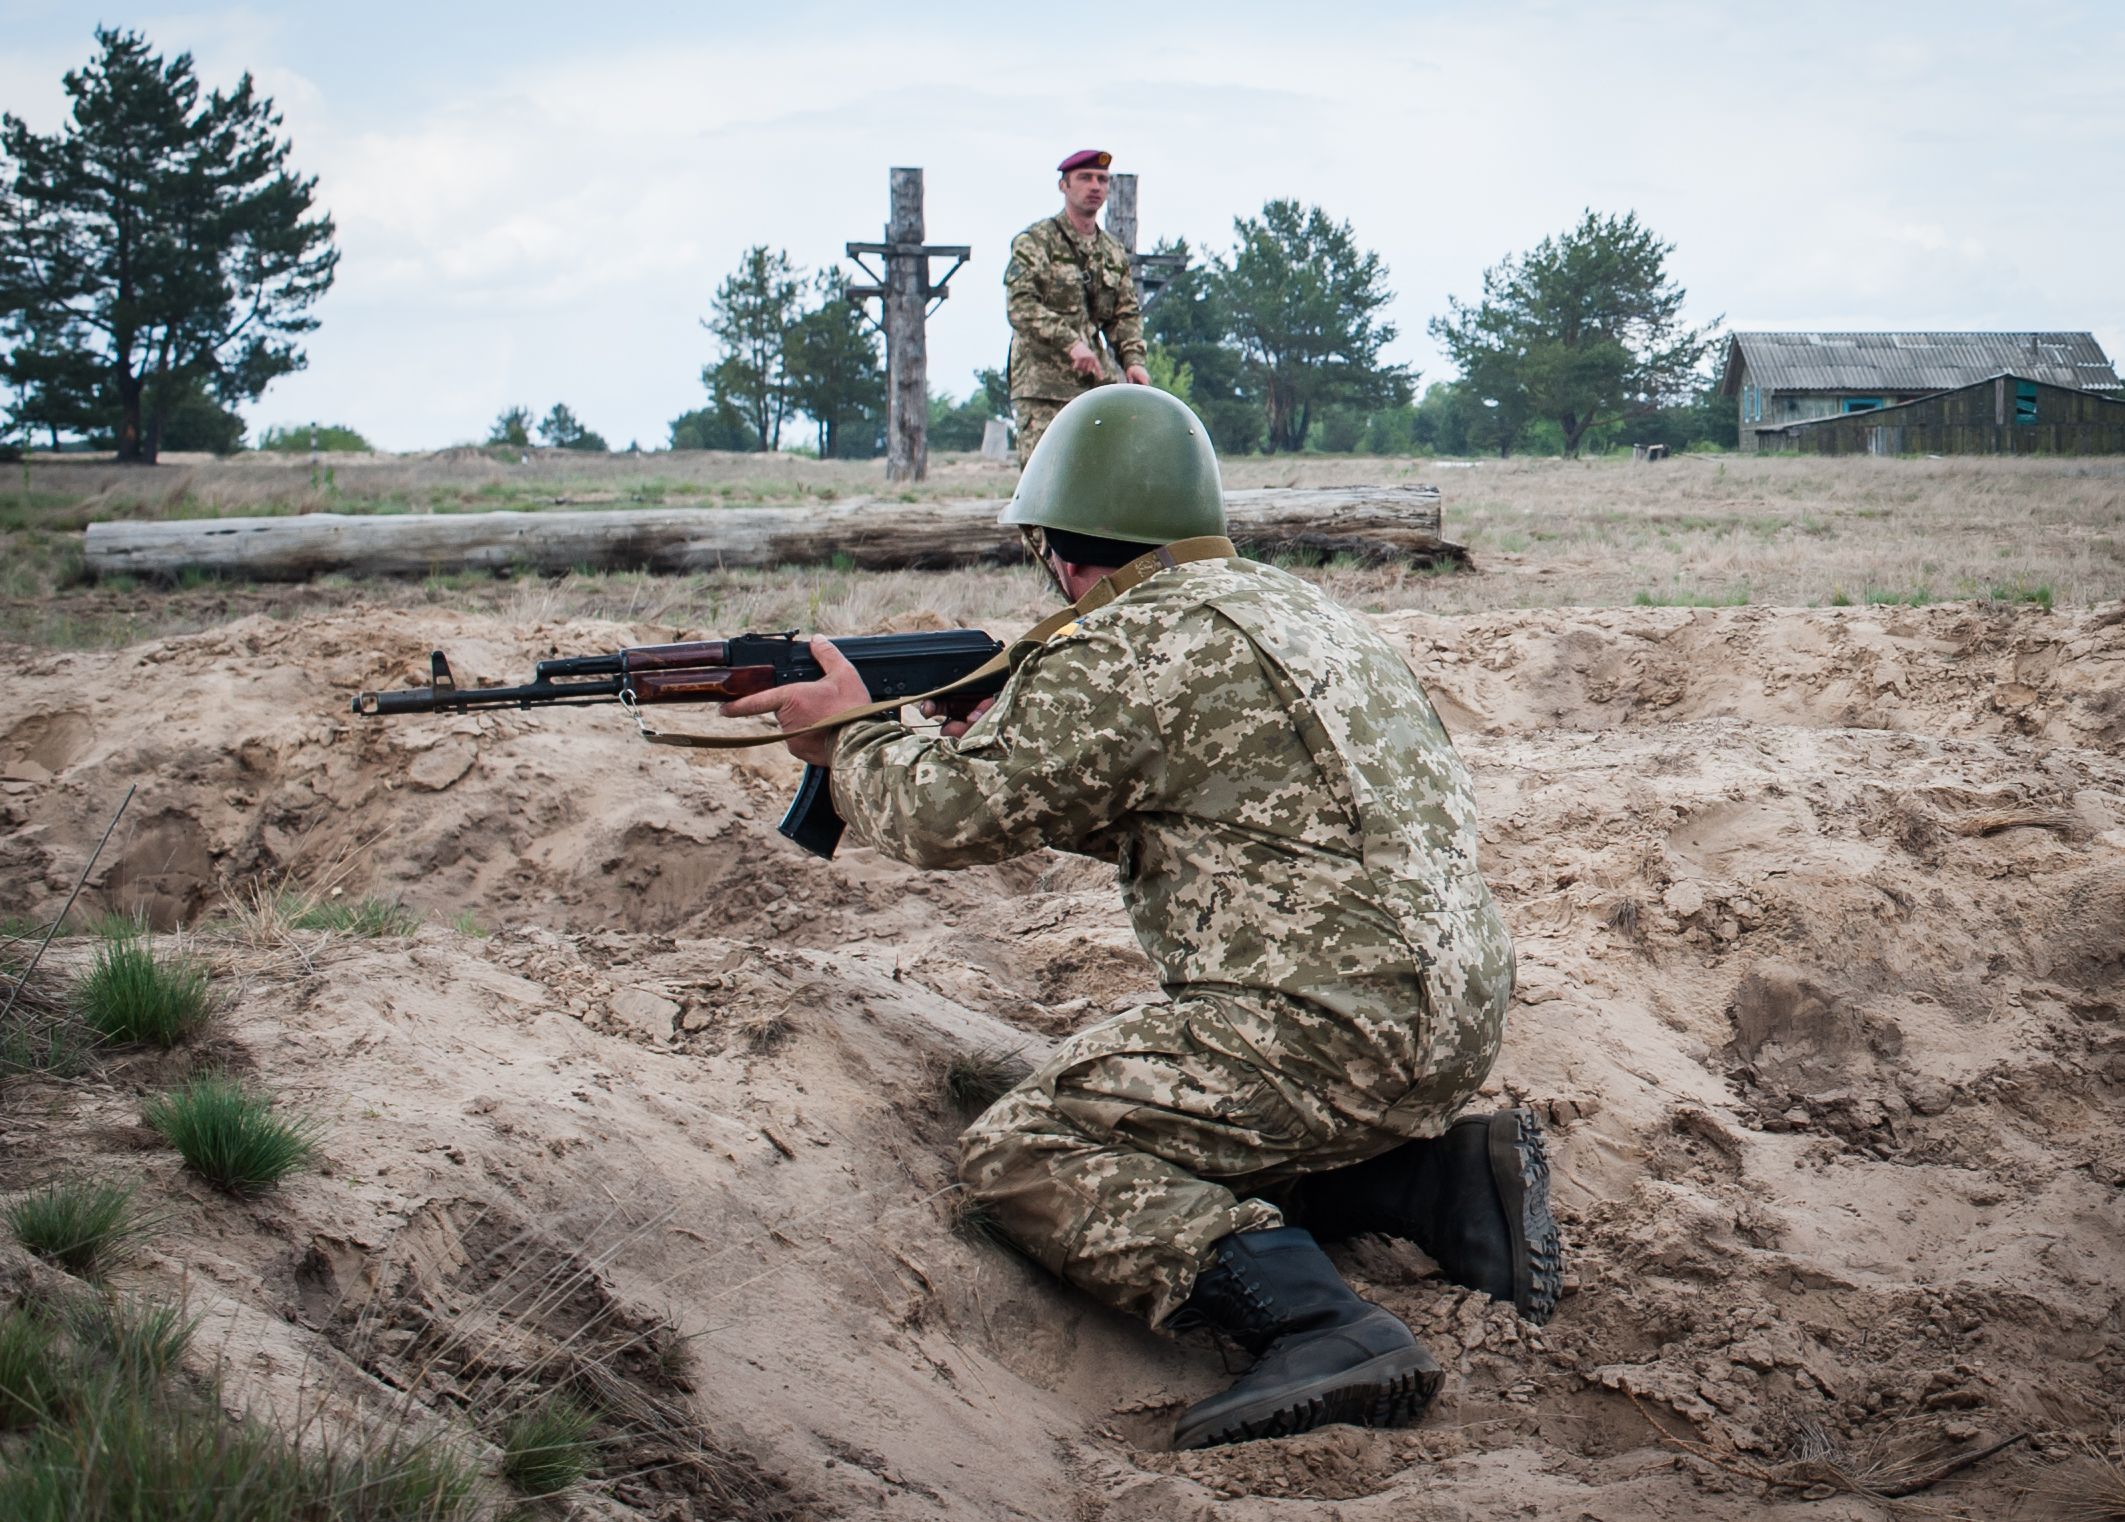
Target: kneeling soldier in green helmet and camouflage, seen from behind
x: 1297, y: 847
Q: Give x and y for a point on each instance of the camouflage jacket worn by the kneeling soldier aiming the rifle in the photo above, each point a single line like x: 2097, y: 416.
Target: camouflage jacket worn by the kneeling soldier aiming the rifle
x: 1291, y: 826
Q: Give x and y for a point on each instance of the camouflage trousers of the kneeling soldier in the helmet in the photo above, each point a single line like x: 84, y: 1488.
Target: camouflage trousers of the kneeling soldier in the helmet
x: 1140, y: 1145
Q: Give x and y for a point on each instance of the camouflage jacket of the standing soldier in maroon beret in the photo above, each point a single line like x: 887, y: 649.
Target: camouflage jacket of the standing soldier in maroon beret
x: 1066, y: 288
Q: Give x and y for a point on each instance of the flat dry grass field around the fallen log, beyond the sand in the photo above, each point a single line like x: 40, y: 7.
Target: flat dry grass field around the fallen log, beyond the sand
x: 1699, y: 530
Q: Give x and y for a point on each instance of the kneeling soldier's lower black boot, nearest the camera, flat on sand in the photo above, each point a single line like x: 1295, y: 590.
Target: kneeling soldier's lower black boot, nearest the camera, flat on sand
x: 1321, y: 1355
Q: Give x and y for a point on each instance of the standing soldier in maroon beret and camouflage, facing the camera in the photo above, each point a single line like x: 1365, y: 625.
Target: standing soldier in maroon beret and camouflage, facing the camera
x: 1076, y: 322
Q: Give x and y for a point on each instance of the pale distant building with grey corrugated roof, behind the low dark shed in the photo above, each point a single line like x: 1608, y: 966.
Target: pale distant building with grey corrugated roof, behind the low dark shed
x: 1784, y: 379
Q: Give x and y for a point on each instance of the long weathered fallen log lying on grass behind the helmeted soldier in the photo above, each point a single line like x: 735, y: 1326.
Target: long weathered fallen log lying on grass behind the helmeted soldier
x: 1376, y: 524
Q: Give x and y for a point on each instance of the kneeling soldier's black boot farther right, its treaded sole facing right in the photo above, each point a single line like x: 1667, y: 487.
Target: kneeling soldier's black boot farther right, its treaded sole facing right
x: 1476, y: 1200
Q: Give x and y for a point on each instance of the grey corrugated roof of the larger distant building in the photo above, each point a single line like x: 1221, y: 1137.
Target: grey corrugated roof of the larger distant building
x: 1914, y: 362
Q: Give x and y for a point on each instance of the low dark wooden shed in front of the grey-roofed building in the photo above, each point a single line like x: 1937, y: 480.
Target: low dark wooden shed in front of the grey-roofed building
x: 2001, y: 416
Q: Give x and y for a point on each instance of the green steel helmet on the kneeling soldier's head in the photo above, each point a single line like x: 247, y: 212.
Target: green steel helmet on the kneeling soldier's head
x: 1123, y: 462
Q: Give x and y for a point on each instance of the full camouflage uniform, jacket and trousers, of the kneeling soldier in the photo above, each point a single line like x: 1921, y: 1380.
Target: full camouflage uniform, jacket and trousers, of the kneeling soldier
x: 1295, y: 841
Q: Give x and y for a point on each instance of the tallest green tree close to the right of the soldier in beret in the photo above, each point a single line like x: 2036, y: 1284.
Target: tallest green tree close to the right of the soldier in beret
x: 1304, y: 305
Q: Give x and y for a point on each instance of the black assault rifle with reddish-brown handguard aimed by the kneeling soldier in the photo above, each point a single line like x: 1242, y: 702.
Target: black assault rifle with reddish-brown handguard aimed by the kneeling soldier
x: 894, y: 666
